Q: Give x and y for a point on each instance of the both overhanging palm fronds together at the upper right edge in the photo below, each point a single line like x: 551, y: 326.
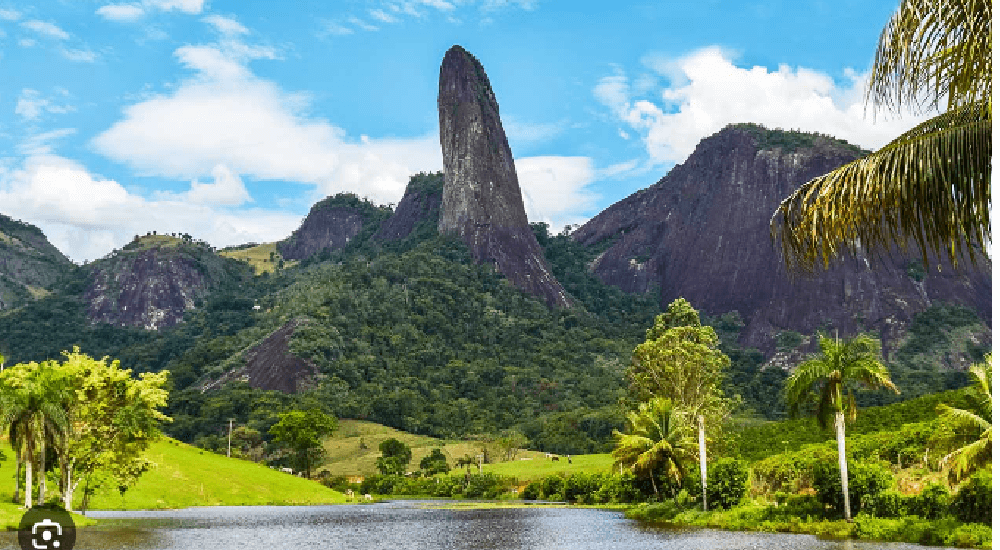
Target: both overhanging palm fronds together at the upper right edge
x: 930, y: 185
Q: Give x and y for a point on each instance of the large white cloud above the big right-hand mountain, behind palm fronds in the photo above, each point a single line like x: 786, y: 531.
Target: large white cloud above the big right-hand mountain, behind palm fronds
x: 708, y: 90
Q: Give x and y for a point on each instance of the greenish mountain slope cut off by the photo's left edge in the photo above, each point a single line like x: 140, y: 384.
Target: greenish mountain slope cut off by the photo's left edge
x: 29, y: 264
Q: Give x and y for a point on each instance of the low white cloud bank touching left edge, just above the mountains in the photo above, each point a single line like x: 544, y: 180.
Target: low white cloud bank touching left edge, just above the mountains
x: 85, y: 215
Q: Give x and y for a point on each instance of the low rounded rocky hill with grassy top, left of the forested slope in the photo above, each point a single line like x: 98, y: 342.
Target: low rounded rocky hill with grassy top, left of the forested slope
x: 152, y: 281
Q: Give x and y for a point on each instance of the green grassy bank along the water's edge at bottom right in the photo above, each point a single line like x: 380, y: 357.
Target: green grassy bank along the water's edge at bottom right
x: 778, y: 519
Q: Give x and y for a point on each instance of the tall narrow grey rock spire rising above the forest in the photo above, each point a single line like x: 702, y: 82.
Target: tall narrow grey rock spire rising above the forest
x: 482, y: 199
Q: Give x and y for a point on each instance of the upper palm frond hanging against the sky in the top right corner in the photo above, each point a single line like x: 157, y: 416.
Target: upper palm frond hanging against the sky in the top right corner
x: 932, y: 50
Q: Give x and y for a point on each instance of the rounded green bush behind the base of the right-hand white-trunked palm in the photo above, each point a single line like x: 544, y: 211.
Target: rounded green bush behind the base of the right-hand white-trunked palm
x: 864, y: 482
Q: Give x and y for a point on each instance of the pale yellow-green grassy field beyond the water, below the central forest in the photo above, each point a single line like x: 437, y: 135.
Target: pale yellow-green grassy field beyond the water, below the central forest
x: 347, y: 456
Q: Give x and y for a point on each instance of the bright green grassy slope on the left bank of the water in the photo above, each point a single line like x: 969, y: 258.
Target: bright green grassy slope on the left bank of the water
x: 186, y: 476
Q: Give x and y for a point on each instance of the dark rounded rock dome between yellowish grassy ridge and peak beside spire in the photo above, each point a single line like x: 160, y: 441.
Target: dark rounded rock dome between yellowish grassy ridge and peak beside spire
x: 331, y: 223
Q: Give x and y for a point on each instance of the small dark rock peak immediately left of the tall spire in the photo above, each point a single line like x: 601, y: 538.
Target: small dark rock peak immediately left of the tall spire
x: 417, y: 212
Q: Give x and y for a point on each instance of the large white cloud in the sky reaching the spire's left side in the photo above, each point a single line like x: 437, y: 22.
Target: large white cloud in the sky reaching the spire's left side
x: 226, y: 115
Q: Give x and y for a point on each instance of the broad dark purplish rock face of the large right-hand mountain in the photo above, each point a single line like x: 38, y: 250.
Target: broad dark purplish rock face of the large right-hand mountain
x: 702, y: 232
